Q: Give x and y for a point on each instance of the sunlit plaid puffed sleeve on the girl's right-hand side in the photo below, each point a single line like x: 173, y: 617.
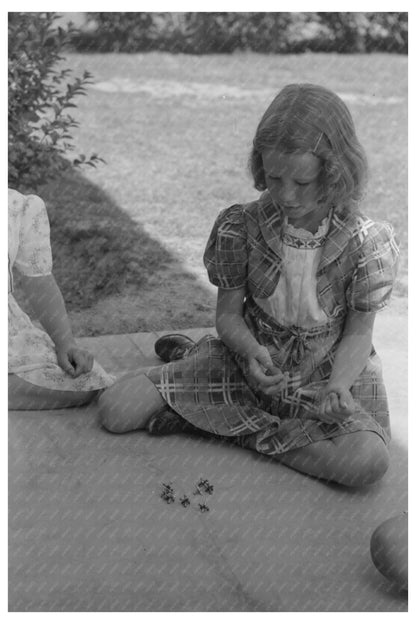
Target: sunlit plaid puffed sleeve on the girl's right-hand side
x: 376, y: 268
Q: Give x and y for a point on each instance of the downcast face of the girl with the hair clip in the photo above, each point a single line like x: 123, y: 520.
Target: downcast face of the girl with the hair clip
x: 293, y: 183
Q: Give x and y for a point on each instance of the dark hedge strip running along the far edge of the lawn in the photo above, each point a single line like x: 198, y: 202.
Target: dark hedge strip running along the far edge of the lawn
x: 273, y: 32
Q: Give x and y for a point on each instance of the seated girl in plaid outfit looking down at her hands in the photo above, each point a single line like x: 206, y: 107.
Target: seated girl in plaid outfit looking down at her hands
x: 301, y: 274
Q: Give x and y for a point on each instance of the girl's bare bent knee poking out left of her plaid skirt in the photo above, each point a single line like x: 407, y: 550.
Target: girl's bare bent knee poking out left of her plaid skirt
x: 129, y: 403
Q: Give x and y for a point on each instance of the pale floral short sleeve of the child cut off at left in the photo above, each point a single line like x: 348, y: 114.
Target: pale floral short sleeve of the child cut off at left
x: 34, y: 256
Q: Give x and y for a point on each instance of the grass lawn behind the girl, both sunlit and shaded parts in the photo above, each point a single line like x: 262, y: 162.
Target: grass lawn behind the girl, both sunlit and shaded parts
x: 175, y: 132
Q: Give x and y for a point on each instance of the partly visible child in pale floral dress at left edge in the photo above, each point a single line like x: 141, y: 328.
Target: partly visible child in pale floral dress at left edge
x: 46, y: 368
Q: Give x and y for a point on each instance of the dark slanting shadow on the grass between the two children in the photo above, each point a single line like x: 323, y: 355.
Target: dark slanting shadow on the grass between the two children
x: 116, y: 278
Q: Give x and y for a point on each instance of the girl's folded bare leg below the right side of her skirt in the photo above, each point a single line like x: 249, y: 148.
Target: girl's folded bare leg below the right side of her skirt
x: 354, y: 459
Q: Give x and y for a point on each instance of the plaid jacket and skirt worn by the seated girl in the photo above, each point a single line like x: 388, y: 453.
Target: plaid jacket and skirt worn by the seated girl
x: 211, y: 386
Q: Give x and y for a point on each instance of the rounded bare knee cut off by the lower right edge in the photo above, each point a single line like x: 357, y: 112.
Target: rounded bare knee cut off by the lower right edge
x: 388, y: 549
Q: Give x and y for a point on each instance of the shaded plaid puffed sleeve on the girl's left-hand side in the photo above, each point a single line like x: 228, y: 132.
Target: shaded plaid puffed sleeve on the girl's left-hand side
x: 225, y: 255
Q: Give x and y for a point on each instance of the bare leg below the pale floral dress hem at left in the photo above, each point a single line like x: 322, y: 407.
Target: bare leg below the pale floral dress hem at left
x: 26, y: 396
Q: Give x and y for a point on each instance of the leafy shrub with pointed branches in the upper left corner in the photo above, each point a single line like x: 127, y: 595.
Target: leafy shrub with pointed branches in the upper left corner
x: 40, y: 98
